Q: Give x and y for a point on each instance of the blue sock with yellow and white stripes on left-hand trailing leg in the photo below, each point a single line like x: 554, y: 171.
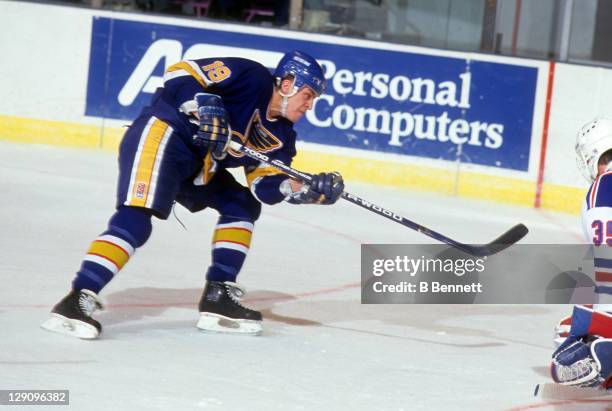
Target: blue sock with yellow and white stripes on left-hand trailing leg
x: 128, y: 229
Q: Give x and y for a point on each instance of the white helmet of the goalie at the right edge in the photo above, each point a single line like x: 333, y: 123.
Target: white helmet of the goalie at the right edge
x: 594, y: 139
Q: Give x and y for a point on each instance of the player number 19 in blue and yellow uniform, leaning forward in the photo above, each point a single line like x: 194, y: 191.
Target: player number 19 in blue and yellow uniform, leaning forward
x: 177, y: 150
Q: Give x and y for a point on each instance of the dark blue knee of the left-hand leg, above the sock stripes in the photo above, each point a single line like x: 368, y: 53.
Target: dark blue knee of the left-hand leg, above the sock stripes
x: 133, y: 224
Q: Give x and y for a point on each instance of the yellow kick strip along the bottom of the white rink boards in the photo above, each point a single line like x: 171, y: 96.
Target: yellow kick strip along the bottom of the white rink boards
x: 469, y: 184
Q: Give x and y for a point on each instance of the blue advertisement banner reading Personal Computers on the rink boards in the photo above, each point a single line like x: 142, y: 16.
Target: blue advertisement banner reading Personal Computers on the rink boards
x: 454, y: 109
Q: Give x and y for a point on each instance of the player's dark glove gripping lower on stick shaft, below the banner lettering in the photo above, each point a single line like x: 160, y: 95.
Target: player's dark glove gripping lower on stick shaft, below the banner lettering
x: 324, y: 188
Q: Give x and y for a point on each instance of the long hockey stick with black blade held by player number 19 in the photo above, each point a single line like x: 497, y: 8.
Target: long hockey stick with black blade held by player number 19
x: 502, y: 242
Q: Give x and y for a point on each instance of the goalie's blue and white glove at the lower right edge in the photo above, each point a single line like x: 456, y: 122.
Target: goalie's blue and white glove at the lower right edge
x: 583, y: 362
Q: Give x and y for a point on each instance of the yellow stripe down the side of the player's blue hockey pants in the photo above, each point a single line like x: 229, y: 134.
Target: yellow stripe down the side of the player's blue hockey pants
x: 146, y: 163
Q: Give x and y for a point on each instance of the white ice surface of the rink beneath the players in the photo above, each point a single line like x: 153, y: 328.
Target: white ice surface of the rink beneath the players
x: 321, y: 349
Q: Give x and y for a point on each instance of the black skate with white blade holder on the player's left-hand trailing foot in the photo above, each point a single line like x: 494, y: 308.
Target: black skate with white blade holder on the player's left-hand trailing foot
x: 72, y: 315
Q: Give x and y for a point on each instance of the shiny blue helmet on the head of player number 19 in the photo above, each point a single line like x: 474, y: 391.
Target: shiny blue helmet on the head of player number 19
x: 304, y: 69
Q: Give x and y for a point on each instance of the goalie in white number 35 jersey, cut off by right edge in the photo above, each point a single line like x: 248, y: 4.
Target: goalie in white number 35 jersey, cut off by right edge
x: 584, y: 357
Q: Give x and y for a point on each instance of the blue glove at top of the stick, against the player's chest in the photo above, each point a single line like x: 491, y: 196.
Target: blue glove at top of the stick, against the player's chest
x: 214, y: 132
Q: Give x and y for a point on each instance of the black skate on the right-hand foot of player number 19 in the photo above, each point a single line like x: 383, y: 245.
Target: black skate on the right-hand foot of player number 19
x: 221, y: 310
